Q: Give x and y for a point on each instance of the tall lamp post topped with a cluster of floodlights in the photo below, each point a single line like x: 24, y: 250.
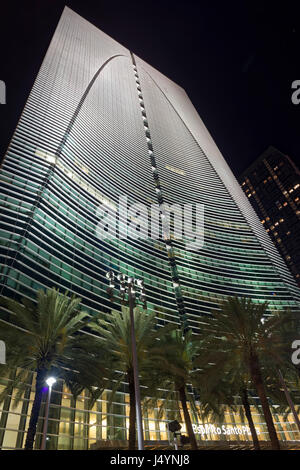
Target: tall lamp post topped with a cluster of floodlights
x: 133, y: 288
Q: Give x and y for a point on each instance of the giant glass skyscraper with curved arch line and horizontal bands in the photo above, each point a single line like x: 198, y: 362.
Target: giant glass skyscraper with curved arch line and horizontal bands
x: 100, y: 123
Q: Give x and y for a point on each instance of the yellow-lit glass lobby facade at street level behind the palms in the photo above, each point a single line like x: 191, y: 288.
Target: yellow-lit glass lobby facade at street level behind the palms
x: 73, y: 426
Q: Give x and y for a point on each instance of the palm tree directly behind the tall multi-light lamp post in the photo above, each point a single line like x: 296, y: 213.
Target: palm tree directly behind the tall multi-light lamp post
x: 116, y: 336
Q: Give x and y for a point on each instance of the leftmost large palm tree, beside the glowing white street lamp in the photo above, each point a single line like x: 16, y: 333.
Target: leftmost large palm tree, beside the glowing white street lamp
x: 46, y: 338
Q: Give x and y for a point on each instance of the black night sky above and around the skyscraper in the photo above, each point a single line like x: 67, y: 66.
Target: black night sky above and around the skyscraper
x: 236, y: 61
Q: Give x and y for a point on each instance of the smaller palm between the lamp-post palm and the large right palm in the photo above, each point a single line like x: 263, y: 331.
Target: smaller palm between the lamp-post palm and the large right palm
x: 175, y: 372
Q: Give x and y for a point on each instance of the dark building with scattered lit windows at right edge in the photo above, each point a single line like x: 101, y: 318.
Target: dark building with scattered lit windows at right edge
x: 272, y: 184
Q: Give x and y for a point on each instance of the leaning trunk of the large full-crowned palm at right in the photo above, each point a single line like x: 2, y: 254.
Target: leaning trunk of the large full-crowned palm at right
x: 259, y: 385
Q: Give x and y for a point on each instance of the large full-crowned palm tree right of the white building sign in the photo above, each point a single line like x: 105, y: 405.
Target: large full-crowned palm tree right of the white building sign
x: 242, y: 330
